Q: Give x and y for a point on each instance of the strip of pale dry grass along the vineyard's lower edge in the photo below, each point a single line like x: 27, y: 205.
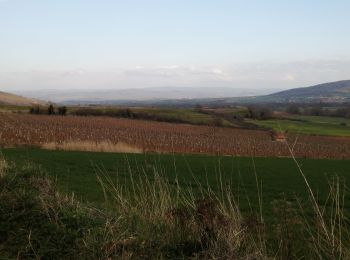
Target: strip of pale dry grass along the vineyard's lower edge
x: 87, y: 146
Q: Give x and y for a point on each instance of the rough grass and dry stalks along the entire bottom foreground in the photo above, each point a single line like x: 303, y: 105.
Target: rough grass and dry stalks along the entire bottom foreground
x: 155, y: 219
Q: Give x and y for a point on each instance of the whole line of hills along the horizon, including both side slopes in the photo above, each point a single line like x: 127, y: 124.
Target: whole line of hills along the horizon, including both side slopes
x: 332, y: 92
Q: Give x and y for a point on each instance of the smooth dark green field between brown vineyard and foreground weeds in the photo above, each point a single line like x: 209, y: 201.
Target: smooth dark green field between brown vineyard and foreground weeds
x: 279, y: 177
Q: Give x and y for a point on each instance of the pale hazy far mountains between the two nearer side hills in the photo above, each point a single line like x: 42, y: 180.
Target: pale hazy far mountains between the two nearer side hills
x: 140, y: 94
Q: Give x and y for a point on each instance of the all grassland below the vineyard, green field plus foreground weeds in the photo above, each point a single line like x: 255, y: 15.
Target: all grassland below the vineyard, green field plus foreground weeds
x: 92, y: 204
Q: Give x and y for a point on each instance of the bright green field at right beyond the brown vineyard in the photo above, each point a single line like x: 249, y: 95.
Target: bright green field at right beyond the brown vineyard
x: 312, y: 125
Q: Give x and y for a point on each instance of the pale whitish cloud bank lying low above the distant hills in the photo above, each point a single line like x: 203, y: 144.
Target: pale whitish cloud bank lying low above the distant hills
x: 257, y: 75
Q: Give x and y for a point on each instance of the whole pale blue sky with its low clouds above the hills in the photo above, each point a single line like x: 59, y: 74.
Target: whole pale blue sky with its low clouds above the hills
x: 106, y: 44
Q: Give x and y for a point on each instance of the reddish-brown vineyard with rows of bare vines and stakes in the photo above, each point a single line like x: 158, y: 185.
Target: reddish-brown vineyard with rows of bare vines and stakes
x: 20, y: 129
